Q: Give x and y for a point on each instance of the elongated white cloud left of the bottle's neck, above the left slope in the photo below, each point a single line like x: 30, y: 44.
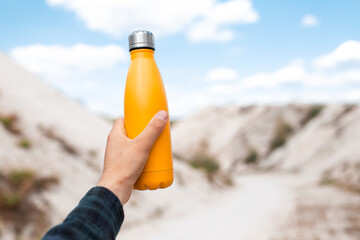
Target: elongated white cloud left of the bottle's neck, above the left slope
x: 59, y: 60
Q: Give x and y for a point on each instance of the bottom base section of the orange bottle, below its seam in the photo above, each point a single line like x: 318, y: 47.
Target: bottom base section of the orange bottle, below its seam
x: 154, y: 180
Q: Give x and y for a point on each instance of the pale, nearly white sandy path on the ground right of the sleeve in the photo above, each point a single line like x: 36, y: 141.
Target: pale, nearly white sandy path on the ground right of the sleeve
x: 253, y: 209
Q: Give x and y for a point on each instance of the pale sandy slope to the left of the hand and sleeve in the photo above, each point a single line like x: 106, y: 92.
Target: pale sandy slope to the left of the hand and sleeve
x: 38, y: 106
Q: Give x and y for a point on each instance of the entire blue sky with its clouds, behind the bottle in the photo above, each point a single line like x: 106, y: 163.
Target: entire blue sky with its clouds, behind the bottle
x: 209, y: 52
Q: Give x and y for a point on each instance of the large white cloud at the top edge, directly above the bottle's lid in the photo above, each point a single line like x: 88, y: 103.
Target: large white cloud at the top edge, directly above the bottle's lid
x: 203, y: 20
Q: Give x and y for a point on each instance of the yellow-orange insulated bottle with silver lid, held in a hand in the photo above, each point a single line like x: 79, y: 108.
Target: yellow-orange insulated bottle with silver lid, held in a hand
x: 144, y: 97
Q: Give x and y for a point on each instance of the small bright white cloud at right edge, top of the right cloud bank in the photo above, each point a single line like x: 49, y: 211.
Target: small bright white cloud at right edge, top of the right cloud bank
x: 347, y: 52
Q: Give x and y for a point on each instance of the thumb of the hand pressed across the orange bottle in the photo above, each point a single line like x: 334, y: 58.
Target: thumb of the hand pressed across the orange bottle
x: 152, y: 131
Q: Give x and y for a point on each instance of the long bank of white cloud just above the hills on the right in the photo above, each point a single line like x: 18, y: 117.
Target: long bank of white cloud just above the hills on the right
x: 313, y: 85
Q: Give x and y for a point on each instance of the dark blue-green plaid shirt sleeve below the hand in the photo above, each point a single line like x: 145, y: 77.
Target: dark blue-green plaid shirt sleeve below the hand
x: 99, y: 215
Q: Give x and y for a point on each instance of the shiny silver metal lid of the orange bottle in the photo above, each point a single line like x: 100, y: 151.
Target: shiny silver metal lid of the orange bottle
x: 141, y: 39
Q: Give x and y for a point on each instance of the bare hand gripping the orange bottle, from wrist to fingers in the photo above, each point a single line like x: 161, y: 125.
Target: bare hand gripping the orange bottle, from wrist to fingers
x: 125, y: 158
